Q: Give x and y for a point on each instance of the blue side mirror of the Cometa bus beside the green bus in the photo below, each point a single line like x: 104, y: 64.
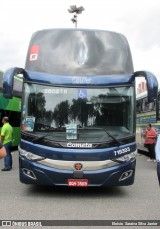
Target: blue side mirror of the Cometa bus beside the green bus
x: 8, y: 78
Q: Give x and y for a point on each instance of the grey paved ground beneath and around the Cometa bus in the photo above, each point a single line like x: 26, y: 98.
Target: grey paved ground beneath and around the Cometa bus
x: 140, y: 201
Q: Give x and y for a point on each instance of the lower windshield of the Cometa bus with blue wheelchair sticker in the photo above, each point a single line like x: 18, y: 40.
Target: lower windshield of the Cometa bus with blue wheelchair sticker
x: 94, y: 115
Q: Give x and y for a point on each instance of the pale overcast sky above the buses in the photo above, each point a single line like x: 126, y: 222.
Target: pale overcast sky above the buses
x: 138, y: 20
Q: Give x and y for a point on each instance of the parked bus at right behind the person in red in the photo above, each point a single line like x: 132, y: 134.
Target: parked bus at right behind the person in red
x: 147, y: 112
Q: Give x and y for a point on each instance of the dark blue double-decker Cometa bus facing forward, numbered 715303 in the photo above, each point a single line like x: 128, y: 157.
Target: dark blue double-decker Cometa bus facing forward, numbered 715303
x: 79, y: 109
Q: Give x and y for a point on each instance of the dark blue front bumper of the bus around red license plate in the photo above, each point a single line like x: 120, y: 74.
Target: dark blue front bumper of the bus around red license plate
x: 36, y: 173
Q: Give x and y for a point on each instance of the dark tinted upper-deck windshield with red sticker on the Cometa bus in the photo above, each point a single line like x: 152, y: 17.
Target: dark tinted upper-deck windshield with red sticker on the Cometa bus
x: 79, y: 52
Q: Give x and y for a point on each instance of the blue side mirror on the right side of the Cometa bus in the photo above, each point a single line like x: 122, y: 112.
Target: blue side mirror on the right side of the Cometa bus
x: 152, y: 84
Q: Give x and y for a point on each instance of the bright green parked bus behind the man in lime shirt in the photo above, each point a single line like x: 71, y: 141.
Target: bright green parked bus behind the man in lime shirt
x: 12, y: 108
